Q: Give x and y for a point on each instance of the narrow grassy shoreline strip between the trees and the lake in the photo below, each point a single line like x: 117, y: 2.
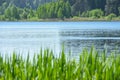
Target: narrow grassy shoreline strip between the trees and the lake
x: 75, y: 19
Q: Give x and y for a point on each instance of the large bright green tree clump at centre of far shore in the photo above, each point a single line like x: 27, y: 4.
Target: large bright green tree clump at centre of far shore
x: 58, y: 9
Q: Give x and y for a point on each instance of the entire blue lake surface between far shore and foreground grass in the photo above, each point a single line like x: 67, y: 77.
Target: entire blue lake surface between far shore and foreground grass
x: 24, y: 37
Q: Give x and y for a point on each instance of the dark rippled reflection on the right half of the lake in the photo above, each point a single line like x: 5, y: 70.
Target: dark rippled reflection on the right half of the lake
x: 76, y: 40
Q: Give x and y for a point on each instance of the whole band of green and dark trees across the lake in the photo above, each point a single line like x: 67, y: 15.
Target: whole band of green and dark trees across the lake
x: 58, y: 9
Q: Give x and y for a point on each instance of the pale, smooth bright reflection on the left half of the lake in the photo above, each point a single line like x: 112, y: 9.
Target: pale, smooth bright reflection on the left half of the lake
x: 28, y: 40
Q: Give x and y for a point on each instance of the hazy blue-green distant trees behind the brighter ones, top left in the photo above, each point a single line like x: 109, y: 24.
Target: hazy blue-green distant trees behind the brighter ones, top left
x: 25, y: 3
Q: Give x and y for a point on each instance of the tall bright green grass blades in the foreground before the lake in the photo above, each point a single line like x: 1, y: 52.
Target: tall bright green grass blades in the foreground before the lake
x: 44, y: 66
